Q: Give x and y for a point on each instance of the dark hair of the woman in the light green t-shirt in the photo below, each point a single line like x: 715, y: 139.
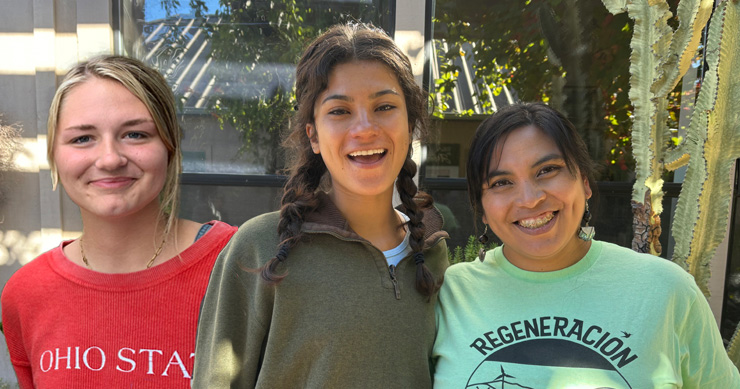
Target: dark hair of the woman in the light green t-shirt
x: 493, y: 131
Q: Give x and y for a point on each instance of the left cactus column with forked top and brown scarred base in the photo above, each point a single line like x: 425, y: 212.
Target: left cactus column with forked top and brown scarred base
x: 660, y: 57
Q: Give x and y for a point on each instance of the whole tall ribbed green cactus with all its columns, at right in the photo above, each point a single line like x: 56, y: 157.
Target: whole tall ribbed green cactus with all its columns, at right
x: 659, y: 58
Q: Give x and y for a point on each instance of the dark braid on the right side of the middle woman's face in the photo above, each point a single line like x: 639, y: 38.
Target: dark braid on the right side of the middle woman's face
x: 407, y: 190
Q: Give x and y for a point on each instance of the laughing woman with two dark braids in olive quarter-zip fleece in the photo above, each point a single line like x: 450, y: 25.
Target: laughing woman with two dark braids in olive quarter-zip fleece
x: 346, y: 289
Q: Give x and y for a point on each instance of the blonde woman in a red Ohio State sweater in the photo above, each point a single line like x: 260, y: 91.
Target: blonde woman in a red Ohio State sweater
x: 117, y: 307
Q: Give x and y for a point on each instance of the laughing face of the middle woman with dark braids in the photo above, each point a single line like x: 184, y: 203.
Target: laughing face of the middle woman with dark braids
x: 361, y: 129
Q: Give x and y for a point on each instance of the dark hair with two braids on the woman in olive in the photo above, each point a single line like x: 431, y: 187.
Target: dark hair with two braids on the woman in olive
x: 341, y: 44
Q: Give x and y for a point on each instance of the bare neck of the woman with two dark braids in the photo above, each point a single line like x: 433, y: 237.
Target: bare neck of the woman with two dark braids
x: 371, y: 217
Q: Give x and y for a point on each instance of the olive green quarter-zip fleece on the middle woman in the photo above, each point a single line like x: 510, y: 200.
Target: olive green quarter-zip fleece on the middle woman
x: 341, y: 318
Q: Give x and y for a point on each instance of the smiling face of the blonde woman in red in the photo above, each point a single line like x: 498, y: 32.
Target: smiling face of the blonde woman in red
x: 109, y: 156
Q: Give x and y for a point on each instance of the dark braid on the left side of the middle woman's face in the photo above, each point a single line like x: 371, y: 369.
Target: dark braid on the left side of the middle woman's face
x: 299, y: 199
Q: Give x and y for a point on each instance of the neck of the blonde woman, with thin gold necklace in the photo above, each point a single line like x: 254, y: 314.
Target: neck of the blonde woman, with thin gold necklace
x: 122, y: 245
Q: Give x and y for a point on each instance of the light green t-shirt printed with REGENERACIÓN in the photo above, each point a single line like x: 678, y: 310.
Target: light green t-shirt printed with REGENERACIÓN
x: 615, y: 319
